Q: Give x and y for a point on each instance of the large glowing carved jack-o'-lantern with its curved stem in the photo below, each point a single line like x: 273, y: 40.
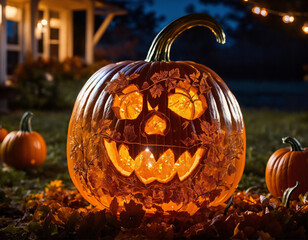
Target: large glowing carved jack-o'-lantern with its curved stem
x: 169, y: 135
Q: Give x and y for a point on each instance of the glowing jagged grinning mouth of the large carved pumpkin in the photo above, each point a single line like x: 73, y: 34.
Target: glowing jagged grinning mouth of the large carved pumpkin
x: 147, y: 168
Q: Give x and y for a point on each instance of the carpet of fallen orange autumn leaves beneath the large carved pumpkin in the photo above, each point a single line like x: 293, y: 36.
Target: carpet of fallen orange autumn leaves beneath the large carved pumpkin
x: 59, y: 213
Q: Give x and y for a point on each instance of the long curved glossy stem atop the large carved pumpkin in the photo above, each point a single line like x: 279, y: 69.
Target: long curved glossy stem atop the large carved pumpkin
x: 161, y: 45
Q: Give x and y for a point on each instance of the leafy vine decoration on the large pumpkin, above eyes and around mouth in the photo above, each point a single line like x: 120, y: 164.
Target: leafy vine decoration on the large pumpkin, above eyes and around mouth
x: 222, y: 150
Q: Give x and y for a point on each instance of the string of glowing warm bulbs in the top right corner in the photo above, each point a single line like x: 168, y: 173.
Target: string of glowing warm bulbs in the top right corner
x: 286, y: 17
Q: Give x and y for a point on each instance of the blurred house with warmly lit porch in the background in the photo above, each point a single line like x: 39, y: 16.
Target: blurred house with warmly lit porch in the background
x: 45, y: 28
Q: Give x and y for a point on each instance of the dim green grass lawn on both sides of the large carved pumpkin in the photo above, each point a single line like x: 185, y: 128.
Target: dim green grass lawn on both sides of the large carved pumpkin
x: 264, y: 130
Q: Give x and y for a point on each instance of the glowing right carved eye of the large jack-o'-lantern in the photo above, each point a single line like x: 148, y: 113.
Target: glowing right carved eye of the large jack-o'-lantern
x: 186, y: 102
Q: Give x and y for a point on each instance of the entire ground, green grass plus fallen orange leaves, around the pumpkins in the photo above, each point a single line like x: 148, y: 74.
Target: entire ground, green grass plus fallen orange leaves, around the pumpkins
x: 42, y: 203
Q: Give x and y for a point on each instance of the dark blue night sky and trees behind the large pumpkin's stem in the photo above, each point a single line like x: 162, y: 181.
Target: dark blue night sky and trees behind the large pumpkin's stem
x: 264, y: 60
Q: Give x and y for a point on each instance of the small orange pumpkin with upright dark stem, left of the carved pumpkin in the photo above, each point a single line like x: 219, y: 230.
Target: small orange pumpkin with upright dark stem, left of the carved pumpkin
x: 23, y: 148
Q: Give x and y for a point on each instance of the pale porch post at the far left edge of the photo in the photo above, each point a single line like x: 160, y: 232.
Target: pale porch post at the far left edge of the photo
x: 3, y: 44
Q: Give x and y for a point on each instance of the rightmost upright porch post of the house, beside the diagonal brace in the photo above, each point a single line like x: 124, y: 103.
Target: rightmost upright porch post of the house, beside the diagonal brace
x: 89, y: 33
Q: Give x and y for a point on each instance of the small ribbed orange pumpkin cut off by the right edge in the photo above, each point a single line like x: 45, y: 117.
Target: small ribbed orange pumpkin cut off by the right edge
x: 285, y: 167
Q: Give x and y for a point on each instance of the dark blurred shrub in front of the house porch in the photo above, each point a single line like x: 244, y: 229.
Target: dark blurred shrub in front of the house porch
x: 48, y: 84
